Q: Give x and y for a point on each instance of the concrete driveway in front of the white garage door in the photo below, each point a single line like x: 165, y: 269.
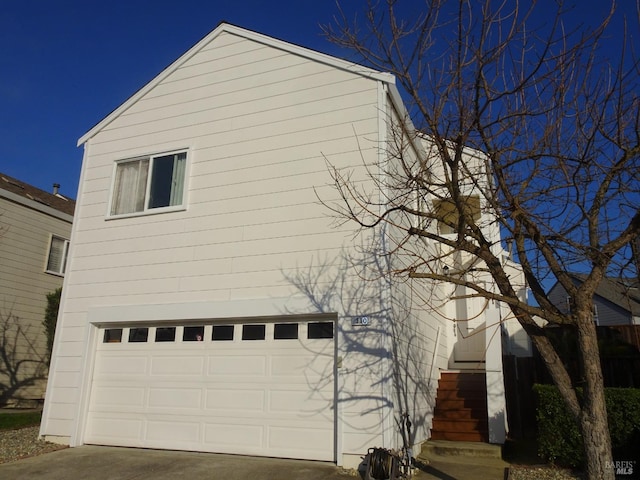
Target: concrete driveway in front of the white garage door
x: 115, y: 463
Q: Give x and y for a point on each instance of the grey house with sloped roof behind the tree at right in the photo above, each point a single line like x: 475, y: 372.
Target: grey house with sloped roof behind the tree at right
x: 616, y: 301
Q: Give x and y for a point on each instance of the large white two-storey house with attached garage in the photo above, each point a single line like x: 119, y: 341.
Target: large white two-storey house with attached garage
x: 212, y: 304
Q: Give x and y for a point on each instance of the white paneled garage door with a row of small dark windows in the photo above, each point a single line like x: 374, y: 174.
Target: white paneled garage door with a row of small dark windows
x: 256, y: 389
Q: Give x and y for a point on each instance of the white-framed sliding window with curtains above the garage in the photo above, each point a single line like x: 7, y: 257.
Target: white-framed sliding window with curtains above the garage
x: 148, y: 183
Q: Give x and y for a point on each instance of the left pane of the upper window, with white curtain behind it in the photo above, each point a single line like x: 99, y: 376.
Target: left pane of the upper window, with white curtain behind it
x: 130, y: 187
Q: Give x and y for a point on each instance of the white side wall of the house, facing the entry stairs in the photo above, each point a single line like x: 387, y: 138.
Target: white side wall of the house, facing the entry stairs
x: 418, y: 333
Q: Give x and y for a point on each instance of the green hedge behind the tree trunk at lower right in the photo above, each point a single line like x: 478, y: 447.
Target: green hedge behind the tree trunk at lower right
x: 559, y: 438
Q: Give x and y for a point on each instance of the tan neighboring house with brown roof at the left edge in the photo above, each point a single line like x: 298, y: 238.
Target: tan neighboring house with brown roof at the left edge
x: 35, y: 227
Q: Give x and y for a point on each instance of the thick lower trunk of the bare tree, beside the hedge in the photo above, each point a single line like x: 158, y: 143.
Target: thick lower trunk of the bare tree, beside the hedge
x: 593, y: 418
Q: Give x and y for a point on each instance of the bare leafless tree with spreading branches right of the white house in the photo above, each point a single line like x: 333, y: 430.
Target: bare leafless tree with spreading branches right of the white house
x: 556, y: 117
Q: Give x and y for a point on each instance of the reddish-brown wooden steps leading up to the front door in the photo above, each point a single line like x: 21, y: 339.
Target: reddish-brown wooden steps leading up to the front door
x: 461, y: 408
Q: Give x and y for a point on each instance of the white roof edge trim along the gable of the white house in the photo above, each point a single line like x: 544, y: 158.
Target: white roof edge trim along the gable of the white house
x: 250, y: 35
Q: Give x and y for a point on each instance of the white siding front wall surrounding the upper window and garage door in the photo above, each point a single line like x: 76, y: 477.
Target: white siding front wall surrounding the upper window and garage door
x: 258, y: 123
